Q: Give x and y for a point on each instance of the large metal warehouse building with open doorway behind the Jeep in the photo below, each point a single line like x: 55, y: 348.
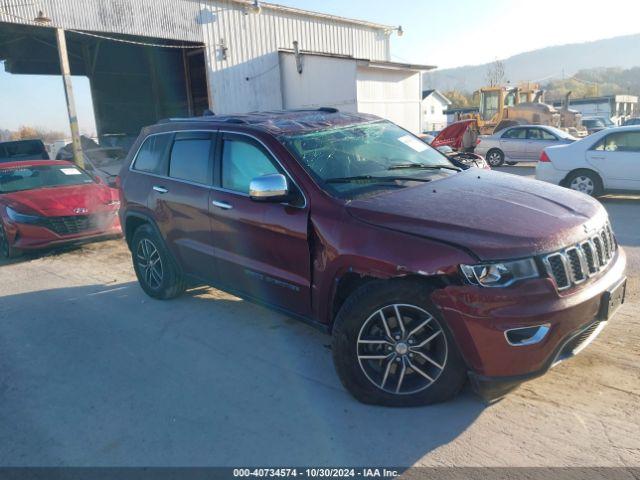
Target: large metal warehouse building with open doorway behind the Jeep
x: 150, y: 59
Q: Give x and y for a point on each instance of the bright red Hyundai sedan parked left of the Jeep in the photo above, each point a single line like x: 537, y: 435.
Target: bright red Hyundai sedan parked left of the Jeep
x: 46, y: 203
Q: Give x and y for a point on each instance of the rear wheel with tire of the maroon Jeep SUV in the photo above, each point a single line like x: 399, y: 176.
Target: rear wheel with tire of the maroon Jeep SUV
x: 157, y: 272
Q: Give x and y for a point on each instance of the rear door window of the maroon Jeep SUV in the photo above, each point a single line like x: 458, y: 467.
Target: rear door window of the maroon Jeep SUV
x: 192, y: 157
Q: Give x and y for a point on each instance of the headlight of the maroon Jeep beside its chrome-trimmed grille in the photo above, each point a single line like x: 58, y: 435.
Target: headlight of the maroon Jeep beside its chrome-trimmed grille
x: 501, y: 274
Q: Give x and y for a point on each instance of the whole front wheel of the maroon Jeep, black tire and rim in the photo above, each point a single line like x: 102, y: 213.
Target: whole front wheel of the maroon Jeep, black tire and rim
x: 359, y: 333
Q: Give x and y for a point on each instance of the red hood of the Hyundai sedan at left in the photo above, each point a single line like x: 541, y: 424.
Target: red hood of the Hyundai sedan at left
x: 63, y: 201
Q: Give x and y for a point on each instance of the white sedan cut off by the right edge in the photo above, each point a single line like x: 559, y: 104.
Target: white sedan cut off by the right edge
x: 608, y: 160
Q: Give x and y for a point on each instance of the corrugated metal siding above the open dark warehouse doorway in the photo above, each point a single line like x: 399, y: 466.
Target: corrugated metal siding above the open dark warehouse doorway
x: 167, y: 19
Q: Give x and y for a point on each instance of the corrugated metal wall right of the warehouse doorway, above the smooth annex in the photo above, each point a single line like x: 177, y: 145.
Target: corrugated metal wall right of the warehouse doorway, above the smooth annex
x: 249, y: 78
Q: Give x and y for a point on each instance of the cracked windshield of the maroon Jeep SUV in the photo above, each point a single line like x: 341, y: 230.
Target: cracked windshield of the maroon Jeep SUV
x: 347, y: 159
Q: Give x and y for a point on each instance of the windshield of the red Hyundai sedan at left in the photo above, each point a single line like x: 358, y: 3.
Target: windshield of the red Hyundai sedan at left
x: 18, y: 179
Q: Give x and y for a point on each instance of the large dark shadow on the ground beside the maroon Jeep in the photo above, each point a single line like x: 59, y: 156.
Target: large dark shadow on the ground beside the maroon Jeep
x: 103, y: 375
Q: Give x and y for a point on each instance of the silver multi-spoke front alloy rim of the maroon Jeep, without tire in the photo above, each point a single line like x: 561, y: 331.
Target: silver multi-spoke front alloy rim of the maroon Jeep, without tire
x: 402, y: 349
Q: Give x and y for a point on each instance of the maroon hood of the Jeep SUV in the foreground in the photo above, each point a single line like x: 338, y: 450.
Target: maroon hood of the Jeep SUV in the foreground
x: 495, y: 215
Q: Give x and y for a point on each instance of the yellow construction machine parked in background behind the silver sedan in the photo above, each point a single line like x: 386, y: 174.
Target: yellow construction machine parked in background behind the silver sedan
x: 505, y: 106
